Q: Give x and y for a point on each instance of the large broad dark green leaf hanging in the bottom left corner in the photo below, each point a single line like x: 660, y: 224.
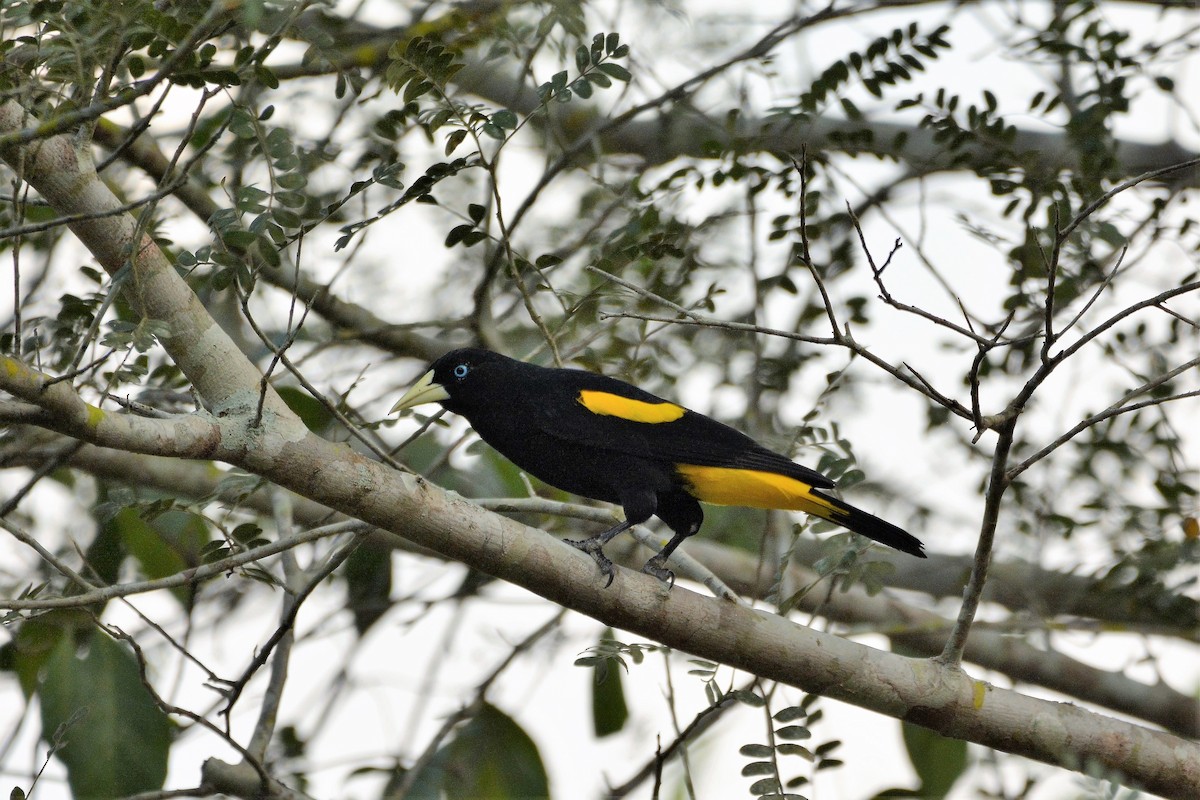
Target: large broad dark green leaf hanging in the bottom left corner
x: 115, y: 739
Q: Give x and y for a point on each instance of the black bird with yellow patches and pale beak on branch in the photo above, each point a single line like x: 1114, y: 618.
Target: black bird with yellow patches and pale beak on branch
x: 603, y: 438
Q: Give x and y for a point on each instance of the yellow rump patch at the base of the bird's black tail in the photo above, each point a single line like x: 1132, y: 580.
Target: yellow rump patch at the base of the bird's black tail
x: 751, y: 488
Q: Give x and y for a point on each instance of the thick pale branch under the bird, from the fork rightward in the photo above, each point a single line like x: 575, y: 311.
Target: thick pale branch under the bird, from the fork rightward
x: 937, y: 696
